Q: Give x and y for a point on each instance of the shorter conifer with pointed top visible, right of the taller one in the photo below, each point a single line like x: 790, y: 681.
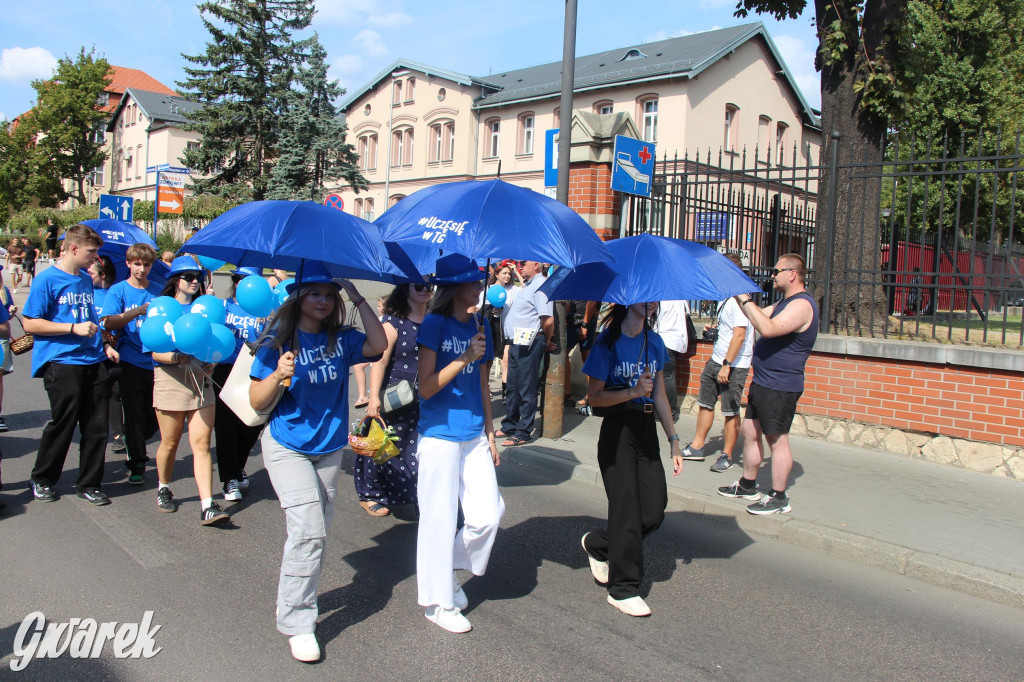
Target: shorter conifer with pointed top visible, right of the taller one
x: 314, y: 151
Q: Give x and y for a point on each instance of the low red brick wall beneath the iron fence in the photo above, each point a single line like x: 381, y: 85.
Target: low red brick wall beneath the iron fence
x: 942, y: 400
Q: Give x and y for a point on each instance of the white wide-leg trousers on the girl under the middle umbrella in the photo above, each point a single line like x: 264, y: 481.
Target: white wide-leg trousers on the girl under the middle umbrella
x: 451, y: 473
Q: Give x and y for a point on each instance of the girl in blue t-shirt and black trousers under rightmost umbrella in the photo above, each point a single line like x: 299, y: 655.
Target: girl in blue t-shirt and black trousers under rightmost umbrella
x: 626, y: 371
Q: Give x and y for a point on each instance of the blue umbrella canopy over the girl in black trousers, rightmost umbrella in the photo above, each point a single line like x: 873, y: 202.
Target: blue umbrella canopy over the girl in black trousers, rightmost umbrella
x: 652, y: 269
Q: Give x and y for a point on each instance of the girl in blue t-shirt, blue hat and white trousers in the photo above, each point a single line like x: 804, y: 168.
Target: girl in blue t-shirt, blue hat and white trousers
x: 457, y: 450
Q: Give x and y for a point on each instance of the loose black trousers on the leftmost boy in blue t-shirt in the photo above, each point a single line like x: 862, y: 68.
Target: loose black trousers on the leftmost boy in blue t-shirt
x: 76, y: 400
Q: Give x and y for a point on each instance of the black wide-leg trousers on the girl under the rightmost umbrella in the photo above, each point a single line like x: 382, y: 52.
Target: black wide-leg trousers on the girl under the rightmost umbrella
x: 634, y: 481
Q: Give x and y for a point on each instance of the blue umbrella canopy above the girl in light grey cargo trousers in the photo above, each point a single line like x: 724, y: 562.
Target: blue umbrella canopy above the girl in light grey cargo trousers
x: 286, y: 235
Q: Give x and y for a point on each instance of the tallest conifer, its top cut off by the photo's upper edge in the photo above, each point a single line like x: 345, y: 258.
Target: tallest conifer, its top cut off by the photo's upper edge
x: 243, y: 80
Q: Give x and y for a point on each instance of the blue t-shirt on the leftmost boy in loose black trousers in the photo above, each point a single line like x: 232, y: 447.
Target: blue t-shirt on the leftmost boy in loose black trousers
x: 64, y: 299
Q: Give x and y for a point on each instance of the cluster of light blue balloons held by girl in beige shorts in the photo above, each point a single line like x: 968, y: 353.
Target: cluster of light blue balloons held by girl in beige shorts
x: 200, y: 333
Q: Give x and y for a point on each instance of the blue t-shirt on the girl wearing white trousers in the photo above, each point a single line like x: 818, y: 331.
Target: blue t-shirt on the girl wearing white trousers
x: 456, y: 412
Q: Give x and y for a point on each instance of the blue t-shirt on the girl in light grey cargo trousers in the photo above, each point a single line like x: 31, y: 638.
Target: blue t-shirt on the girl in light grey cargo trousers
x: 313, y: 414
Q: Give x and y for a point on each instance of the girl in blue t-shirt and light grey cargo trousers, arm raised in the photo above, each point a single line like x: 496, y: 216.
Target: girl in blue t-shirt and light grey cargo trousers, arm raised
x: 304, y: 360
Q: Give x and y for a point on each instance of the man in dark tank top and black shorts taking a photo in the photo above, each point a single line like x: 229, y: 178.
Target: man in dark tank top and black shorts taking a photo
x: 788, y: 331
